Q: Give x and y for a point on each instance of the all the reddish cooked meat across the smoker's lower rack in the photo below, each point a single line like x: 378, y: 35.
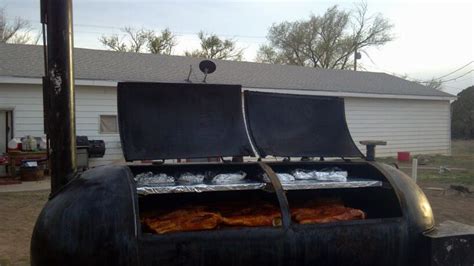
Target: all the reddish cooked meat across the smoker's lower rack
x: 194, y: 218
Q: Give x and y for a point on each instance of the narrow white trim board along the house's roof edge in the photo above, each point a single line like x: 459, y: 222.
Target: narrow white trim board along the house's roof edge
x: 111, y: 83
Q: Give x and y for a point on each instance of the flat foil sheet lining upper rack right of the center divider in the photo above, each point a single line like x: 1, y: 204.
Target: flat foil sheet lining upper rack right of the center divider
x: 312, y: 184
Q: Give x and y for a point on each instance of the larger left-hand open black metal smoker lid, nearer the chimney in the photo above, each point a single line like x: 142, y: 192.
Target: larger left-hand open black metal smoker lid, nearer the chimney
x: 181, y: 120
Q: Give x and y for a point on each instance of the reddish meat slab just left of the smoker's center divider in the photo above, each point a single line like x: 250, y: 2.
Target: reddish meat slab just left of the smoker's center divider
x: 255, y: 215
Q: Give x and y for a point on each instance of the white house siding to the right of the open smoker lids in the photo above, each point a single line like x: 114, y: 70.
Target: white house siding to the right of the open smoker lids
x: 416, y: 126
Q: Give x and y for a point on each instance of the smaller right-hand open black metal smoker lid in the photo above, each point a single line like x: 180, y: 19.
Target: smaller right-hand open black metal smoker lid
x: 298, y: 125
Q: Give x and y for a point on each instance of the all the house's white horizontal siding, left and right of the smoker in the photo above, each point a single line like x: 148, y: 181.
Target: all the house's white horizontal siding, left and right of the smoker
x: 417, y: 126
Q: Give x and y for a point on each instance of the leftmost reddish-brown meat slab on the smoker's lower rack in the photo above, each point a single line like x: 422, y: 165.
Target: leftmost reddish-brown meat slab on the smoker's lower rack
x: 183, y: 220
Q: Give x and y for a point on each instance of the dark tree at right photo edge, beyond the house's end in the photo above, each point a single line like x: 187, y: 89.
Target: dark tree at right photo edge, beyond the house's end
x: 462, y: 121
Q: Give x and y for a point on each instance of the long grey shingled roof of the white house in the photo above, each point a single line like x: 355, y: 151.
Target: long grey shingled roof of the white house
x: 26, y: 61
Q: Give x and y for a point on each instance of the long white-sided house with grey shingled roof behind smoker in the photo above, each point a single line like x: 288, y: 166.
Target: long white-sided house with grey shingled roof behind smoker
x: 409, y: 116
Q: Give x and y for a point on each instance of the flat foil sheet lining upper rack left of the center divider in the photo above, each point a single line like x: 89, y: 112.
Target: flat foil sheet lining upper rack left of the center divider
x: 164, y: 189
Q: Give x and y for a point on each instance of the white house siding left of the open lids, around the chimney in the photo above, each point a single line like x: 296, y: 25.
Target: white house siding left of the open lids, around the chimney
x: 27, y: 105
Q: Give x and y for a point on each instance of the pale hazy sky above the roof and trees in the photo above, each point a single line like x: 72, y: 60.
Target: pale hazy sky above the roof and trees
x: 432, y: 38
